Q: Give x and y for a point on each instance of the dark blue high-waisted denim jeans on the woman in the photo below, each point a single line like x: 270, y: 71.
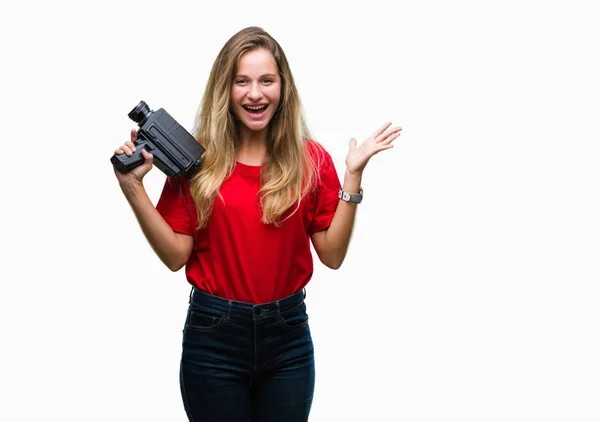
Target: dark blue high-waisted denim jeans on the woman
x: 244, y: 362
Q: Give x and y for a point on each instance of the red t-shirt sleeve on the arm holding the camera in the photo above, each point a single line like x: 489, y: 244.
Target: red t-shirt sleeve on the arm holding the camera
x: 173, y: 205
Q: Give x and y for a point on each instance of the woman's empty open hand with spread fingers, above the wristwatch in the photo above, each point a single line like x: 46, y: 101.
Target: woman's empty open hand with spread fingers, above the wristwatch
x: 382, y: 139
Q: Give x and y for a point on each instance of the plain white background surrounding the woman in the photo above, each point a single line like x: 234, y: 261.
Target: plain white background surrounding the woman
x: 470, y: 292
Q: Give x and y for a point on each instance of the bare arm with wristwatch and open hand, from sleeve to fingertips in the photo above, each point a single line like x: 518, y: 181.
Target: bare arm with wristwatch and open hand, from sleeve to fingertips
x: 332, y: 243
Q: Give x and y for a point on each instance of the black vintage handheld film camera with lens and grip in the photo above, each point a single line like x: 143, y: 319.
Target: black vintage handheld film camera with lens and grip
x: 174, y: 149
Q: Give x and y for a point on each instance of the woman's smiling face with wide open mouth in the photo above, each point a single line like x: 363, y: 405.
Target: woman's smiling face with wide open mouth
x: 256, y: 91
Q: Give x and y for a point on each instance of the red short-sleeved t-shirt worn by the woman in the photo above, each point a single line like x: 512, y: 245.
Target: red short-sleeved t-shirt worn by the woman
x: 235, y: 255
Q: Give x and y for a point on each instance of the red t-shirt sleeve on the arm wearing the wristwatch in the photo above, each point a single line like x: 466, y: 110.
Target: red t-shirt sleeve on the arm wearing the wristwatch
x: 326, y: 200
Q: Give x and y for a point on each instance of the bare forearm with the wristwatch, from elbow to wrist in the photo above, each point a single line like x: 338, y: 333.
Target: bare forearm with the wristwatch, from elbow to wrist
x: 337, y: 236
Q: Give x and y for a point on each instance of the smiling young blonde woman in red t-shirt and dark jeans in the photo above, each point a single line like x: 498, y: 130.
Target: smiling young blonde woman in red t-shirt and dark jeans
x: 241, y: 225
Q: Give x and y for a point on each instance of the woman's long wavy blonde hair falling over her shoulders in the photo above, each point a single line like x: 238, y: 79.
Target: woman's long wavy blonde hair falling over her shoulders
x: 289, y: 172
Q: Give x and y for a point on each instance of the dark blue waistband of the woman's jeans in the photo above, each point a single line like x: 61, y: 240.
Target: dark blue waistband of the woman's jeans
x: 244, y: 309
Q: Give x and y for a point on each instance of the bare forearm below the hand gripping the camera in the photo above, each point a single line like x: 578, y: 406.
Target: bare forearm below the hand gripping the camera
x: 164, y: 241
